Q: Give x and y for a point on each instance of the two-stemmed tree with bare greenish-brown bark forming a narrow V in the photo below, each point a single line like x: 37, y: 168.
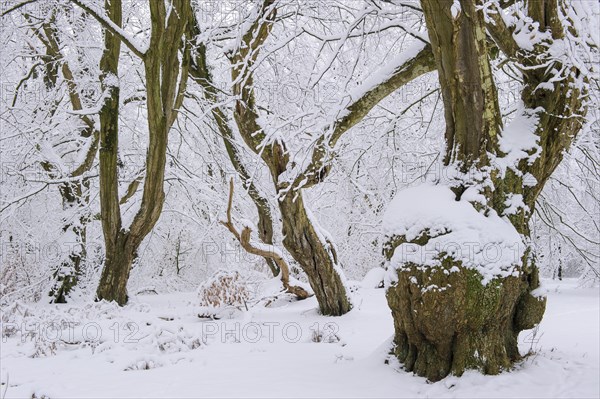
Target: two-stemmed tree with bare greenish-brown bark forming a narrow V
x: 166, y: 64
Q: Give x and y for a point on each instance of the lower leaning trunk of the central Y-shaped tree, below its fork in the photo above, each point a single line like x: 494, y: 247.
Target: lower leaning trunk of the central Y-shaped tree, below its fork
x: 315, y: 255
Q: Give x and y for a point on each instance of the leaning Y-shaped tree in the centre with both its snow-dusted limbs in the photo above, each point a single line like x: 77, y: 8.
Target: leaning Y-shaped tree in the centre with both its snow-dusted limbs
x: 303, y: 238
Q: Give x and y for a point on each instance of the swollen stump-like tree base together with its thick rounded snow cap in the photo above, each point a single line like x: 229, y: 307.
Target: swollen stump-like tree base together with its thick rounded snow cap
x: 459, y: 297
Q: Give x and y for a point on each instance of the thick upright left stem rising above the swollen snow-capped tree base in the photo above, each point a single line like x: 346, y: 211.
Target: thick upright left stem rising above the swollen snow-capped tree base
x: 470, y: 106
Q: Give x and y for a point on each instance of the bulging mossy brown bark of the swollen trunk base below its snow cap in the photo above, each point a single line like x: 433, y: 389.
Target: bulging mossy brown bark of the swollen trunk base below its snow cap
x: 448, y: 322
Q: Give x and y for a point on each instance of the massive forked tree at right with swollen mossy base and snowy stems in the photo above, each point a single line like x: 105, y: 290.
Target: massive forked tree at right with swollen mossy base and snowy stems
x: 469, y: 322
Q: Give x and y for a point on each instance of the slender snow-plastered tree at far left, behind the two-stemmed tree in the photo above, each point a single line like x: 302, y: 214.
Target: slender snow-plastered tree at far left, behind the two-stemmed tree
x: 70, y: 174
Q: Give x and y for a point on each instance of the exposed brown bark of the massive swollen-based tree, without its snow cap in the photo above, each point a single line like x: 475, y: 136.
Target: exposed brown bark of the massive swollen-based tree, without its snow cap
x: 468, y: 324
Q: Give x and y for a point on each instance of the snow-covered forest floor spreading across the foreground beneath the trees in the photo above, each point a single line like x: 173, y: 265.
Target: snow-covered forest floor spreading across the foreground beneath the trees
x: 158, y: 347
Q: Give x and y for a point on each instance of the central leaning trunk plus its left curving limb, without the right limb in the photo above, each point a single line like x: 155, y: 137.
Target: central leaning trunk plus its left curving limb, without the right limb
x: 301, y: 237
